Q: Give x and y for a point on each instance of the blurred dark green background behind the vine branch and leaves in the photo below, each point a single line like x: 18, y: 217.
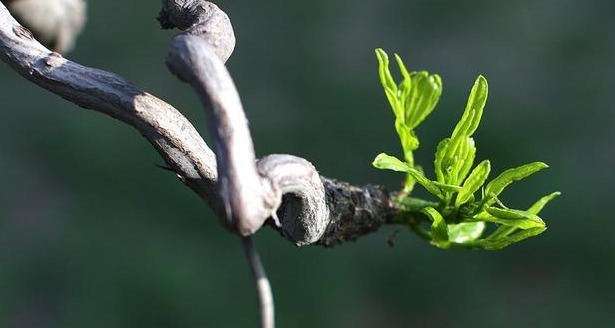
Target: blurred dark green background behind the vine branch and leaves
x: 93, y: 234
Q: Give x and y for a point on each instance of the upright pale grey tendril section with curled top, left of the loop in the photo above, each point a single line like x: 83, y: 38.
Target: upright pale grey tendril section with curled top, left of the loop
x: 197, y: 57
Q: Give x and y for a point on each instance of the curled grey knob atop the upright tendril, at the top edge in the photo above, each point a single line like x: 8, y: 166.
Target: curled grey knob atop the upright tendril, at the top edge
x: 203, y: 19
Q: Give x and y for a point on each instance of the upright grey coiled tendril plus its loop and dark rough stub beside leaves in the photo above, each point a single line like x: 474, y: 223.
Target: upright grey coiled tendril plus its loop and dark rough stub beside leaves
x: 281, y: 186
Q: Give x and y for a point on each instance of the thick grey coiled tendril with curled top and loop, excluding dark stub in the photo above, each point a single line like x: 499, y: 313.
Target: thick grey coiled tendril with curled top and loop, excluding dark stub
x: 249, y: 193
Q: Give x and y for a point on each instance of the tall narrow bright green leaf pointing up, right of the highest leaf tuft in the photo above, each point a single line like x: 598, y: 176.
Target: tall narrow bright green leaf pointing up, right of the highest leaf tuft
x: 474, y: 109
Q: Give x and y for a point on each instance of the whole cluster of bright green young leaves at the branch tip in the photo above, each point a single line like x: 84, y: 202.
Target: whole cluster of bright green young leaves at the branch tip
x: 457, y: 217
